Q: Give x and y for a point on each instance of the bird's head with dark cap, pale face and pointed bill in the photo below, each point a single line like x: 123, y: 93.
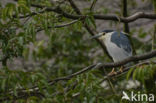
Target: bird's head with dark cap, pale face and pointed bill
x: 102, y: 35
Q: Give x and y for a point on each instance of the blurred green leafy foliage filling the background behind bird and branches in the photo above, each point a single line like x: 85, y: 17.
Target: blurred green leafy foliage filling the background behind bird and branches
x: 35, y: 52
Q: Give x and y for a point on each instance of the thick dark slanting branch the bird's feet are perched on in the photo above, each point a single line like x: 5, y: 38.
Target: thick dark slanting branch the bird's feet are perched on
x: 108, y: 65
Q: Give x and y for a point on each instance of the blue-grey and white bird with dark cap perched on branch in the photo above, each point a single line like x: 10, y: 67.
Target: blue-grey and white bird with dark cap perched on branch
x: 117, y: 43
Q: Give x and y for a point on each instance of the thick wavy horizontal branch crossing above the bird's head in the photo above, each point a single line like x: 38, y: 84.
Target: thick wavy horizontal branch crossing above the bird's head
x: 128, y: 19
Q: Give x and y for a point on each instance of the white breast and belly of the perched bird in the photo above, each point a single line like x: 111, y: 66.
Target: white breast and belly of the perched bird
x: 117, y: 53
